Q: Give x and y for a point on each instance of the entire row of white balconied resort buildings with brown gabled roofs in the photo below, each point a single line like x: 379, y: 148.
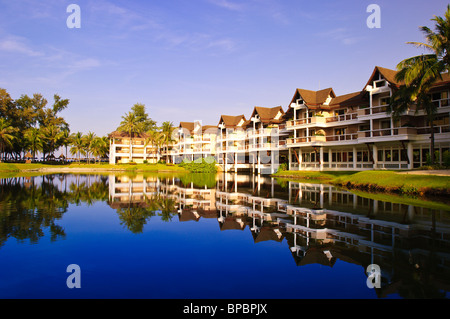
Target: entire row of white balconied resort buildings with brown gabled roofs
x: 319, y: 131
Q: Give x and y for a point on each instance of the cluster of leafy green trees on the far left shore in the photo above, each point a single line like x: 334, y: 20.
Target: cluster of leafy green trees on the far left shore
x: 30, y: 124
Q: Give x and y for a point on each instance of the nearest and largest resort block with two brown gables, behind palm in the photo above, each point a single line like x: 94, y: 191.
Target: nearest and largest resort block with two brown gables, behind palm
x: 355, y: 131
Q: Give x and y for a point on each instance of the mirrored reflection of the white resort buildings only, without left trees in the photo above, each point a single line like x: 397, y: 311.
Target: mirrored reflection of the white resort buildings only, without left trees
x: 320, y: 223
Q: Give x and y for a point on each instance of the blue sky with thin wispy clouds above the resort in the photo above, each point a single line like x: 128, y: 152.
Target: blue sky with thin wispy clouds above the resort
x: 198, y: 59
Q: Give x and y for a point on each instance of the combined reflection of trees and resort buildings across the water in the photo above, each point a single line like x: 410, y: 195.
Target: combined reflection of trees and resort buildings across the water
x: 320, y: 223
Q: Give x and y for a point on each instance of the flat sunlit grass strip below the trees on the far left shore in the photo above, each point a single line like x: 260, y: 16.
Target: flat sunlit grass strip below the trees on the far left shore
x: 74, y: 167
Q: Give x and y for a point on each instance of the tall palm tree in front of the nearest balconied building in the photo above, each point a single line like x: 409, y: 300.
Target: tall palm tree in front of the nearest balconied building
x: 419, y: 73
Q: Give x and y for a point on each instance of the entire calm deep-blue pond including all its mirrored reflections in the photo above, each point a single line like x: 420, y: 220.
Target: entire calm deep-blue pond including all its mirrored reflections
x: 225, y: 236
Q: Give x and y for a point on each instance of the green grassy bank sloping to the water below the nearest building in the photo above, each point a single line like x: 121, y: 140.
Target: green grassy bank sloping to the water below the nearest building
x: 379, y: 181
